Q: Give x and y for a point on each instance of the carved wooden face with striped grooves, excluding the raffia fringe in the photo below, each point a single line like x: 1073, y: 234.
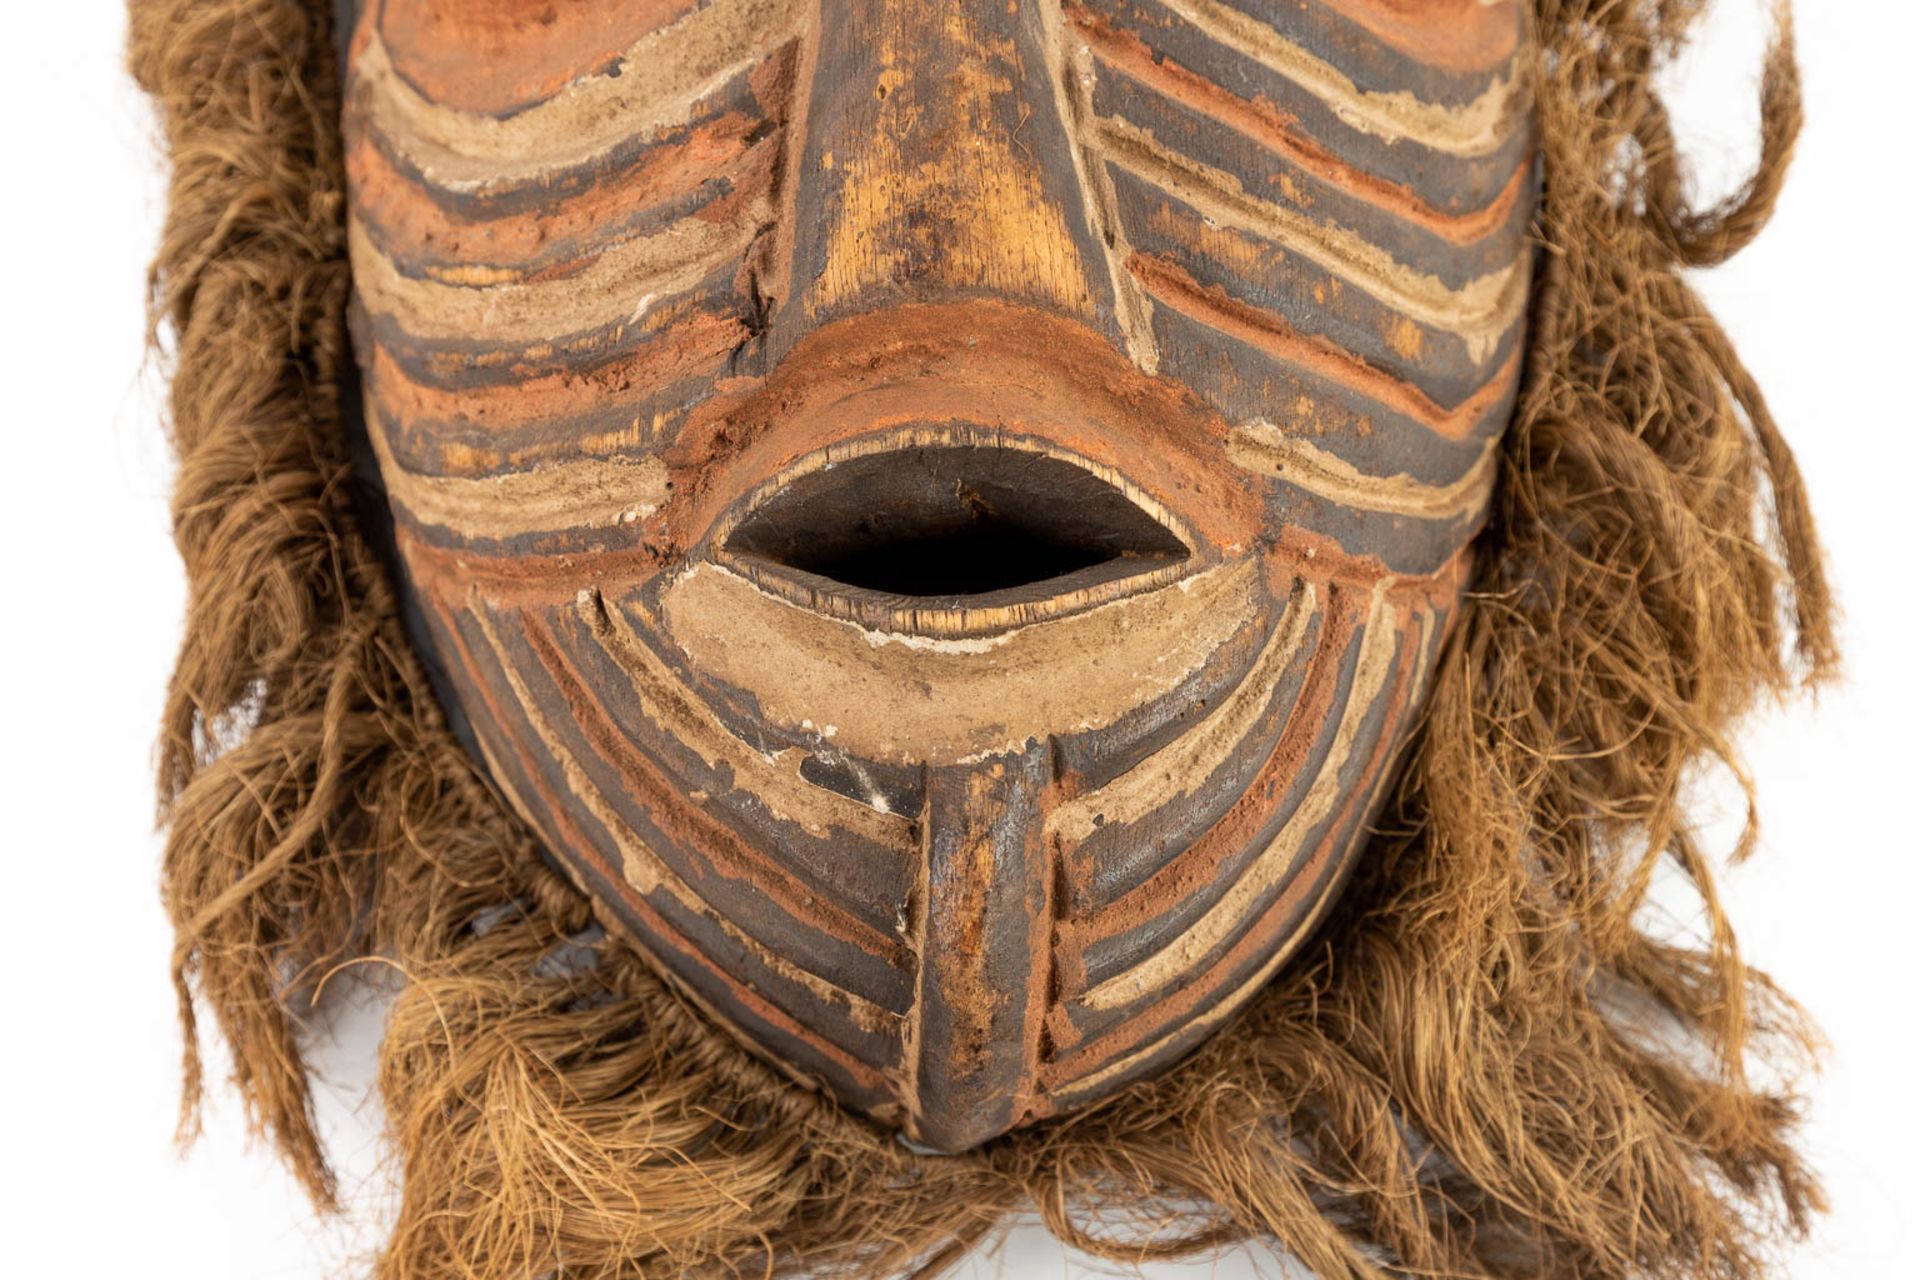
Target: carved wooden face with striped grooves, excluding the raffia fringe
x: 940, y: 513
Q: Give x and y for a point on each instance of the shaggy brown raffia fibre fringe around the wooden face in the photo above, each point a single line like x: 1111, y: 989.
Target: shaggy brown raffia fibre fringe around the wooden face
x: 1487, y: 1066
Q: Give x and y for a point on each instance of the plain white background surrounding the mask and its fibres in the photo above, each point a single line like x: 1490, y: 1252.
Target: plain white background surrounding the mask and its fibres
x: 91, y: 607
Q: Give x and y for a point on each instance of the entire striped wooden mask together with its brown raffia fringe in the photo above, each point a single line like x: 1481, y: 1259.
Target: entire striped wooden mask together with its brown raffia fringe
x: 924, y: 550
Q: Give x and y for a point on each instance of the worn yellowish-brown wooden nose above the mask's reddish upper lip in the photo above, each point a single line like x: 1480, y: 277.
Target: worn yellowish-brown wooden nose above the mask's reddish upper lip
x: 934, y: 160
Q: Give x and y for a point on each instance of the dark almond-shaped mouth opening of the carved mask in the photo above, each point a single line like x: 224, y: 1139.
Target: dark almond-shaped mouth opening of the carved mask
x: 955, y: 523
